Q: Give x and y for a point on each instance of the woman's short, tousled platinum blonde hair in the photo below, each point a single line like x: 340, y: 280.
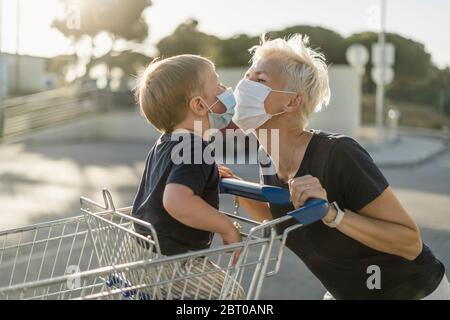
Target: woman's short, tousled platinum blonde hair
x: 305, y: 70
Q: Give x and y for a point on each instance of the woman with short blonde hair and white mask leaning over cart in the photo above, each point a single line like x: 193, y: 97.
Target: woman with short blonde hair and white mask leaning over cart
x: 367, y: 246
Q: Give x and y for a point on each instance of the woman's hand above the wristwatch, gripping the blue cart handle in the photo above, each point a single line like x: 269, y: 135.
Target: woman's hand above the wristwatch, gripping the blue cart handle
x: 307, y: 187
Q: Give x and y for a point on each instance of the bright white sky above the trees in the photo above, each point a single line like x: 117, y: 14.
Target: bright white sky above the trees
x: 424, y: 21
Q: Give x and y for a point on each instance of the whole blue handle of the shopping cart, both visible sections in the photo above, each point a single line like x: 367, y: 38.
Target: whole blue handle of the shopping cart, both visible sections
x: 313, y: 210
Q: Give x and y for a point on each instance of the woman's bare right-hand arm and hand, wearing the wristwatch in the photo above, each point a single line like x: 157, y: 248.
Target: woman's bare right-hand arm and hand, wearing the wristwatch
x: 383, y: 224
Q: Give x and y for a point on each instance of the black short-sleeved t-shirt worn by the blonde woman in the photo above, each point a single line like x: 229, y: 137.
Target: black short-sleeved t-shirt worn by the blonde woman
x: 350, y: 177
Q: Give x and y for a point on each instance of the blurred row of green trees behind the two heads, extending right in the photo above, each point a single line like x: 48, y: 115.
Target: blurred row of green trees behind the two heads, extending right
x: 416, y: 79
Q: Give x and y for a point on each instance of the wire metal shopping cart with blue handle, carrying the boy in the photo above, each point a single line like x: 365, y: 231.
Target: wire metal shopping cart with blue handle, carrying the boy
x: 99, y: 255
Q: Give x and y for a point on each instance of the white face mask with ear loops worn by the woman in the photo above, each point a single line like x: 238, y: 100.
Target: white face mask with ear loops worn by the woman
x: 250, y: 113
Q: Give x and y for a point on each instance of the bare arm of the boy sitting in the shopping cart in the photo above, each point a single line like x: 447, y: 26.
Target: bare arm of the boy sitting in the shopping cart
x: 186, y: 207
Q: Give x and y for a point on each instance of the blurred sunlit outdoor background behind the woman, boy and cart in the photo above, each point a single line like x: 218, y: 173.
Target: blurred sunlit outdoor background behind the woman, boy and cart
x: 69, y: 125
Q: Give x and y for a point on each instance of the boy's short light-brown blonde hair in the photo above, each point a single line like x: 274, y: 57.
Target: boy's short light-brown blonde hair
x: 166, y: 87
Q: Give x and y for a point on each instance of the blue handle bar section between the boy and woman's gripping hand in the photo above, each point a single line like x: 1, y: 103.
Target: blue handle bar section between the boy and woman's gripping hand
x: 255, y: 191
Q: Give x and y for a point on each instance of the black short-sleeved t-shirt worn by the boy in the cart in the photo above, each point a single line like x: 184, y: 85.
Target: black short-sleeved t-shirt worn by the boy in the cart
x: 160, y: 169
